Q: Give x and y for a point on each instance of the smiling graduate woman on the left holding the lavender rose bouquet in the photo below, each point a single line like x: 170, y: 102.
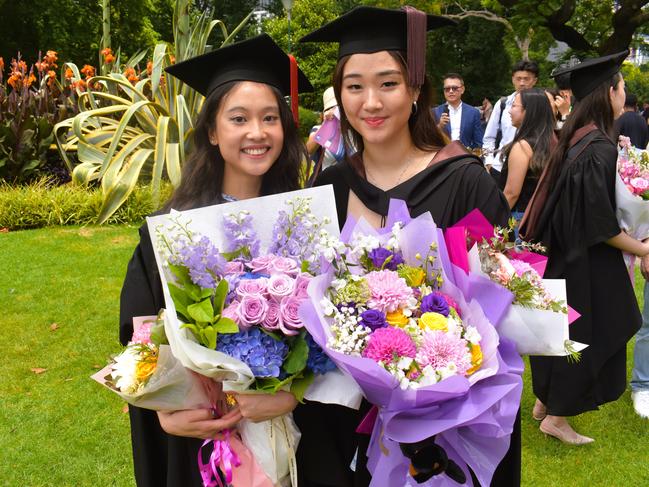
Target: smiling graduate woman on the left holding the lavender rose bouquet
x: 245, y: 145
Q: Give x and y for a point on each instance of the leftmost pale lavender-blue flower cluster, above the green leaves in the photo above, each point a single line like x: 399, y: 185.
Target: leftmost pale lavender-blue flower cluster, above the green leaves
x: 203, y: 260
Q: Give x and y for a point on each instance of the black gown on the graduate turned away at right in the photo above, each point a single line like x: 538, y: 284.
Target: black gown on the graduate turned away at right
x: 578, y: 218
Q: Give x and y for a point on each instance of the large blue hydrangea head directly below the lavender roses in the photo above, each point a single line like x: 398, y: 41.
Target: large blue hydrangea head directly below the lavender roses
x: 261, y: 352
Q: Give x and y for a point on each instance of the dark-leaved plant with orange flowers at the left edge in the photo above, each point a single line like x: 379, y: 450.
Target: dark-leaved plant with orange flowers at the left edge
x: 32, y: 101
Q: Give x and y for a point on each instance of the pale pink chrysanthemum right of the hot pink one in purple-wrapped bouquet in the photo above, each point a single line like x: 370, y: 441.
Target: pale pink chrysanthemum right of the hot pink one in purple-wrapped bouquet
x: 440, y: 349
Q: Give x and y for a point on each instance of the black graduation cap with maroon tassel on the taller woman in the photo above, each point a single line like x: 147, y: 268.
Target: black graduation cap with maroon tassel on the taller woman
x: 369, y: 29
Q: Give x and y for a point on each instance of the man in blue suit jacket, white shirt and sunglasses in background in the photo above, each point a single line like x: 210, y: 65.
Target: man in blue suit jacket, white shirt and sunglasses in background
x: 459, y: 120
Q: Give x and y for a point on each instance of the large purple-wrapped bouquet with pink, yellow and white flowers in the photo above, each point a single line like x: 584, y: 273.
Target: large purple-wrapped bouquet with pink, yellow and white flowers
x: 427, y: 358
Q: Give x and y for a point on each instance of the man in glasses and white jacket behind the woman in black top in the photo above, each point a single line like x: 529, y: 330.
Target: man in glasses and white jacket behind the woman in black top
x: 500, y: 131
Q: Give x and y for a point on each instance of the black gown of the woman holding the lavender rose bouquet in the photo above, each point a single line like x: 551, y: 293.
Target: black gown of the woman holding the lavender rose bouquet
x: 159, y: 459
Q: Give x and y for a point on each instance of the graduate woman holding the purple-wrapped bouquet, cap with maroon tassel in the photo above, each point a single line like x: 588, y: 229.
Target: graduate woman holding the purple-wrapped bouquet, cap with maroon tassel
x: 386, y: 118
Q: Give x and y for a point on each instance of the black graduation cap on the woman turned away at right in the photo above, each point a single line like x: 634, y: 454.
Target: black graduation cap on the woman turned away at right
x: 590, y: 73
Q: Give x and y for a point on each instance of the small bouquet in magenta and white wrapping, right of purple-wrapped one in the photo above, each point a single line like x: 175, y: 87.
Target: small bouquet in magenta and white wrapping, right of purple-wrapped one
x: 537, y: 322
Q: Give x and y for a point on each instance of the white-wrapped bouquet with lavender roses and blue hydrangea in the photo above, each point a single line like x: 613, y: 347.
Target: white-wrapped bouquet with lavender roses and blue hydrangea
x: 233, y: 284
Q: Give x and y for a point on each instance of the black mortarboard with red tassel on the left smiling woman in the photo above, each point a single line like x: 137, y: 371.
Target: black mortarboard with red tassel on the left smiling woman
x: 257, y: 59
